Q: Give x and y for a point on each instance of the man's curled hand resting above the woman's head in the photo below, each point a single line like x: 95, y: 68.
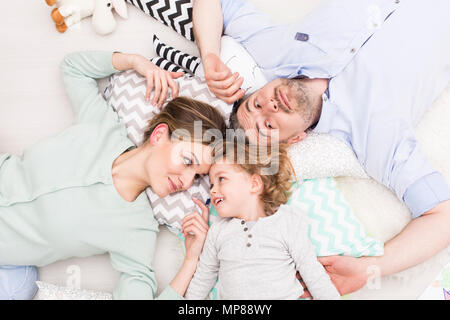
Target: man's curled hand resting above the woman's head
x: 221, y: 82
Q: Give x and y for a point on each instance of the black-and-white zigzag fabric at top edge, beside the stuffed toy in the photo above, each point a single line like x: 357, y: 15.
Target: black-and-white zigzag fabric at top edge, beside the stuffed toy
x: 176, y: 14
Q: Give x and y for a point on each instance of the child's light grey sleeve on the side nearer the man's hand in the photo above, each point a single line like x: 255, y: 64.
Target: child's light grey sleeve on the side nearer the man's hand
x: 311, y: 270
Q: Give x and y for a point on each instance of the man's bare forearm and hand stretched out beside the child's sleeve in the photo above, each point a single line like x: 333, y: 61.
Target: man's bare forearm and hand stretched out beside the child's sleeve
x: 422, y: 238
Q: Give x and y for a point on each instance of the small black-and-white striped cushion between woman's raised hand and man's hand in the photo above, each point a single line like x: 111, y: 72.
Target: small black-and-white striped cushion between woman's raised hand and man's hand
x: 184, y: 60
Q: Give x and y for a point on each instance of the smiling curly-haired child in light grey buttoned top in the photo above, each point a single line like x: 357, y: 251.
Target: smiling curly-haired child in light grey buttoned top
x: 259, y: 246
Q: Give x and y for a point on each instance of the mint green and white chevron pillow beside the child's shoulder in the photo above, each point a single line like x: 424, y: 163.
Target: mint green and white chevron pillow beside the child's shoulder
x: 333, y: 227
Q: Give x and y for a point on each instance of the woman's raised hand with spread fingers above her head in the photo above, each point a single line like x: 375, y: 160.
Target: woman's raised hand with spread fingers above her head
x: 158, y: 80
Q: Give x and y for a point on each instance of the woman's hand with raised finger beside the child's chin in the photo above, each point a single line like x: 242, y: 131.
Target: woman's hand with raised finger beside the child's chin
x: 194, y: 228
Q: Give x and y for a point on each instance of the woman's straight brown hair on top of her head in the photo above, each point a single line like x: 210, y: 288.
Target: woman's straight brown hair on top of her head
x: 181, y: 115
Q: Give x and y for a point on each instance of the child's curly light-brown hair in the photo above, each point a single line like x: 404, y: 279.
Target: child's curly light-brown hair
x: 272, y: 165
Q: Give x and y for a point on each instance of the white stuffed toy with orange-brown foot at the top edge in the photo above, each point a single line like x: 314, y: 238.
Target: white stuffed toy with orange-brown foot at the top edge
x: 70, y: 12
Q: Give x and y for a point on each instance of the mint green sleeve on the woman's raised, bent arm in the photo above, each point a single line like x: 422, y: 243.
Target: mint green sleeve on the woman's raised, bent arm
x: 80, y: 70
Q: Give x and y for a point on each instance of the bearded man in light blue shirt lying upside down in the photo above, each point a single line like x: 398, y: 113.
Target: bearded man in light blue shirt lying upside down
x: 364, y: 71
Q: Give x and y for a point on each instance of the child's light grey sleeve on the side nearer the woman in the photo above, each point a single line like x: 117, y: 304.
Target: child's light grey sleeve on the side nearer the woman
x: 207, y: 271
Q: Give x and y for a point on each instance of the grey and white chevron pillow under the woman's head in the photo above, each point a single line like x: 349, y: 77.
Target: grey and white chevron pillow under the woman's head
x: 126, y: 95
